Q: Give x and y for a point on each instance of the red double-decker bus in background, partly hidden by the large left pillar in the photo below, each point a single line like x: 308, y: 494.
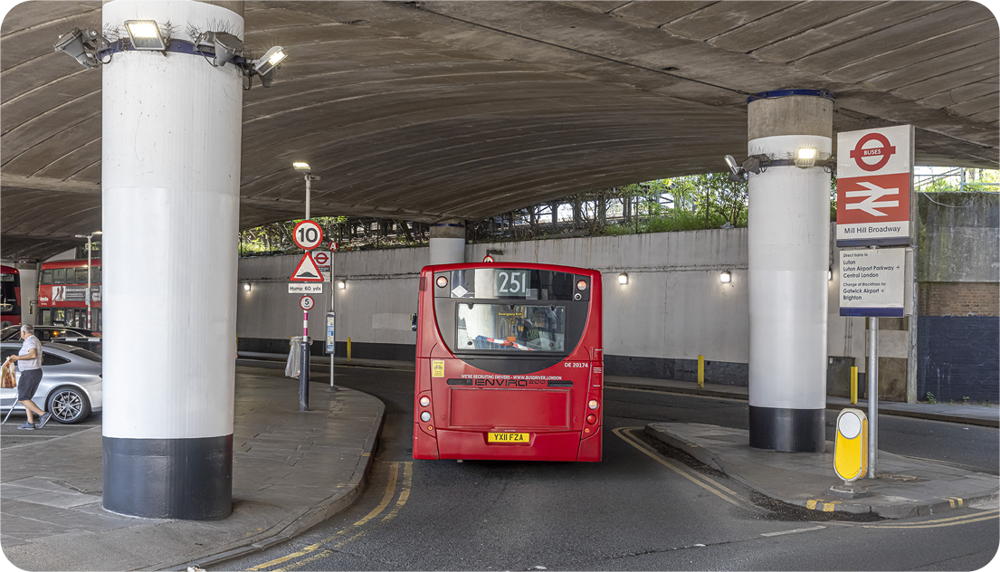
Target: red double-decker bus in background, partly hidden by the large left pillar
x: 62, y: 294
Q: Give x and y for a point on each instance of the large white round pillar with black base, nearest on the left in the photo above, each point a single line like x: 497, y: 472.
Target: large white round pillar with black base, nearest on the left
x: 171, y: 175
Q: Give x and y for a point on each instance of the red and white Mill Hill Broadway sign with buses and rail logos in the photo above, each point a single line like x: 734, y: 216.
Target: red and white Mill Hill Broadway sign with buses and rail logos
x: 874, y: 174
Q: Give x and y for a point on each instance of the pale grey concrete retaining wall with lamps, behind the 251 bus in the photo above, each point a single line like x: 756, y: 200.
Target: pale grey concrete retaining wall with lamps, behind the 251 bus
x: 673, y: 309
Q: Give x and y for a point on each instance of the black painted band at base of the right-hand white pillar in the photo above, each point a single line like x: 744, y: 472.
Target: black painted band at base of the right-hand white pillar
x: 788, y: 430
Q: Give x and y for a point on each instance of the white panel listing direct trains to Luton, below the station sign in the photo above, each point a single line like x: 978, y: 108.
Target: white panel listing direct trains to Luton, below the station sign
x: 872, y: 282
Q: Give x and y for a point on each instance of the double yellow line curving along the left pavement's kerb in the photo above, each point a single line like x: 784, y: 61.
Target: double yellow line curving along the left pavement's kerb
x: 345, y: 536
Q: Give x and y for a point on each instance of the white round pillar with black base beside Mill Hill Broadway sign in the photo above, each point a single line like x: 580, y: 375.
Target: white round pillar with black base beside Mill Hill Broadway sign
x: 789, y: 244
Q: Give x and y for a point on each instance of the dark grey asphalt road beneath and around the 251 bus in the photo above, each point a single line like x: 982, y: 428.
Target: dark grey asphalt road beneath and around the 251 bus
x: 642, y: 508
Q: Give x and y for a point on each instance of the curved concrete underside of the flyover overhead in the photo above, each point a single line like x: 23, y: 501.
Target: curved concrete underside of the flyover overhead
x: 465, y: 108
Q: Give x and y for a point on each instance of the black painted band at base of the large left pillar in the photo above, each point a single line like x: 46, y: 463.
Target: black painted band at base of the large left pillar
x: 189, y: 479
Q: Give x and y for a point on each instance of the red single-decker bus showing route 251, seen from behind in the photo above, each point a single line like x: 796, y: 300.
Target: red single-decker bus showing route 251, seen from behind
x: 509, y: 363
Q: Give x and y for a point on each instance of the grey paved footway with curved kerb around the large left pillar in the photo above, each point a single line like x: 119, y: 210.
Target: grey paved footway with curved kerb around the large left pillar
x: 291, y: 471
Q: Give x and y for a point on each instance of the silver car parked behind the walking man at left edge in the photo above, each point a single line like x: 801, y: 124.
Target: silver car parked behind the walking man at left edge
x: 71, y: 382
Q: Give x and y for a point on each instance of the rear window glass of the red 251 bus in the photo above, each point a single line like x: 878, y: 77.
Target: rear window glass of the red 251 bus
x: 511, y: 327
